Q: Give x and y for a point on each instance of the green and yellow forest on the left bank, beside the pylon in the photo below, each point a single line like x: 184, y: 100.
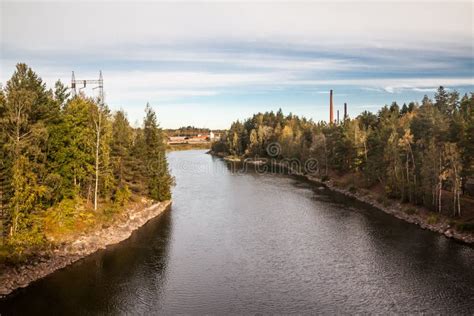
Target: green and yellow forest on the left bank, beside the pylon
x: 68, y: 163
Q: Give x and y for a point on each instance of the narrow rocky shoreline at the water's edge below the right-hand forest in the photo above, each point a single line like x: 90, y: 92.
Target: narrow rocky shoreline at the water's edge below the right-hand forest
x: 396, y: 209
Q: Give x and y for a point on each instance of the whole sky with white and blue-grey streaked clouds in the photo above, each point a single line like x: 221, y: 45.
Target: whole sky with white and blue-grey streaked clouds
x: 208, y: 63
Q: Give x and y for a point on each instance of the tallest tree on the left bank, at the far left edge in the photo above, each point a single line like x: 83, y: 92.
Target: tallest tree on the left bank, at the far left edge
x: 28, y: 107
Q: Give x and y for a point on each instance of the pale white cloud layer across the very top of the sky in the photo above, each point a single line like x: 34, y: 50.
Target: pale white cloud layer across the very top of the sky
x: 102, y: 26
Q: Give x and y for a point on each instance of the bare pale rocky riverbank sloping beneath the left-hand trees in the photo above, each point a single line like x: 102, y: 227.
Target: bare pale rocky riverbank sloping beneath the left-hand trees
x: 14, y: 277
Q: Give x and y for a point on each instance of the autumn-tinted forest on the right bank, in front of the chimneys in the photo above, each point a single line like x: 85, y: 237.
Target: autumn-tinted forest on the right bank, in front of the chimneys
x: 420, y: 153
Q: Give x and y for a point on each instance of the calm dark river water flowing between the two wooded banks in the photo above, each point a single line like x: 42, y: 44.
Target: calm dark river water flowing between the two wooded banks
x: 246, y: 243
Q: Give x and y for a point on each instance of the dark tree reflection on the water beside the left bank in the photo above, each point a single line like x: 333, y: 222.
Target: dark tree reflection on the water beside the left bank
x: 112, y: 280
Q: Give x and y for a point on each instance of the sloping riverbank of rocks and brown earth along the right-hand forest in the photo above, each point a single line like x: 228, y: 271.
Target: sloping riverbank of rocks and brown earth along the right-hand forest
x: 407, y: 212
